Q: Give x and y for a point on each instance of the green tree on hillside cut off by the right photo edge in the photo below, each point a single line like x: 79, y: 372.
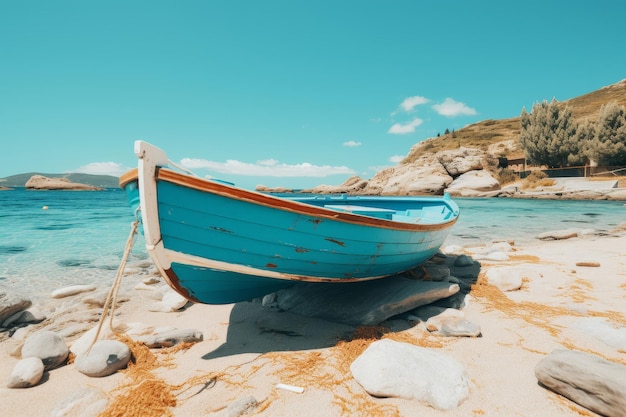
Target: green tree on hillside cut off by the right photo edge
x: 608, y: 145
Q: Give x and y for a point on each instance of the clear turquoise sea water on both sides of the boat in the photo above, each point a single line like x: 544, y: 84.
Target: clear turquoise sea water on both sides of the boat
x: 80, y: 236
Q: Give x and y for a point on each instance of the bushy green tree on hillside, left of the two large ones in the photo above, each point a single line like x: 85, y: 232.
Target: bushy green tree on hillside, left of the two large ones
x: 548, y: 136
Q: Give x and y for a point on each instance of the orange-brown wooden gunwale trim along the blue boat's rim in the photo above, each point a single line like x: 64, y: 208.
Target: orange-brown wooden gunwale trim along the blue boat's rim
x: 204, y: 185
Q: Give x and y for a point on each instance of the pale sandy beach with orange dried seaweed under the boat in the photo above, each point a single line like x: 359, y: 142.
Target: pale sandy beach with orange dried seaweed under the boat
x: 573, y: 290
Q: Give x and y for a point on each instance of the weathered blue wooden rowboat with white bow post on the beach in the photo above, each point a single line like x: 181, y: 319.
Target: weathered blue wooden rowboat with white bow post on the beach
x: 215, y: 243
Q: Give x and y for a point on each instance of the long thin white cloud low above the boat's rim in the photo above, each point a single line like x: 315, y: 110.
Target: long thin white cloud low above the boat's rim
x: 266, y: 168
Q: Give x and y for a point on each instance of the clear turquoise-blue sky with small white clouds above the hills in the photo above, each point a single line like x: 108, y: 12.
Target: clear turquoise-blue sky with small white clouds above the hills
x: 282, y: 93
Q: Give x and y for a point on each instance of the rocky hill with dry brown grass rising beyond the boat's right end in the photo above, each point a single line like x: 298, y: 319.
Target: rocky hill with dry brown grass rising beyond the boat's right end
x: 464, y: 163
